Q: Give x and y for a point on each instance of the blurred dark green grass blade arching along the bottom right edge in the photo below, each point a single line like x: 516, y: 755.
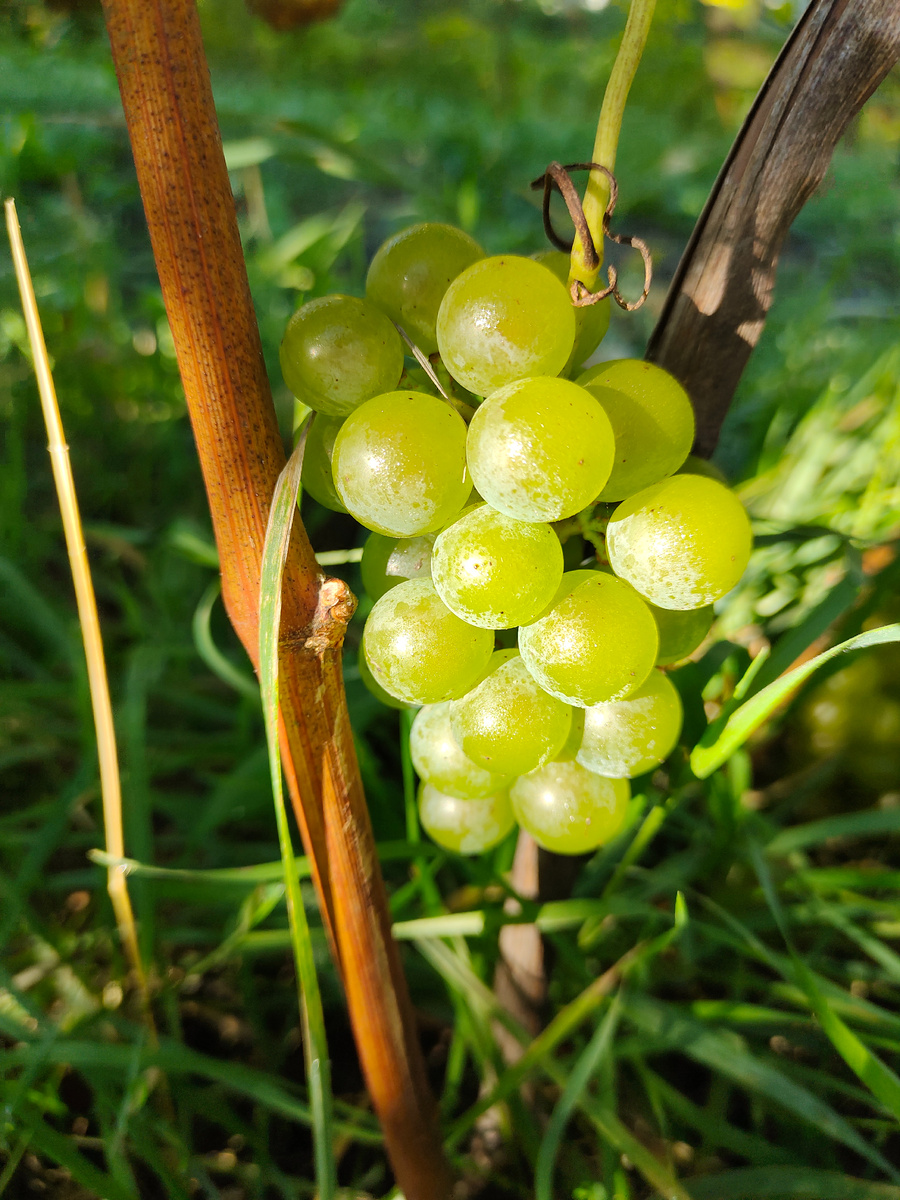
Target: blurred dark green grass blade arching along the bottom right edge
x: 789, y: 1184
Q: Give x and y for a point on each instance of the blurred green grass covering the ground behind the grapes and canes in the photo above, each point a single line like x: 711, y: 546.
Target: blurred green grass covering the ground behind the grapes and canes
x: 749, y: 1047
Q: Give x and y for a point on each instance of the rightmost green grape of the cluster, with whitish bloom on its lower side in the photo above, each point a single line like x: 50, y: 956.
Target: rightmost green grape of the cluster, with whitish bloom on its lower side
x: 683, y: 543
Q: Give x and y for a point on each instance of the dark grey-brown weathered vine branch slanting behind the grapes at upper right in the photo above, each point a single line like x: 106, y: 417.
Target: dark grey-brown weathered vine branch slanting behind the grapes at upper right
x: 723, y: 290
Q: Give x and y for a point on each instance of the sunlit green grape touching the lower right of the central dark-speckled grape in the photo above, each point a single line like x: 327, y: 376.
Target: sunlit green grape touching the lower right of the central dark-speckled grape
x: 597, y: 643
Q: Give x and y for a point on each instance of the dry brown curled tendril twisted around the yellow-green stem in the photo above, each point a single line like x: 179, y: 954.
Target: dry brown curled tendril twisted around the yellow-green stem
x: 556, y: 176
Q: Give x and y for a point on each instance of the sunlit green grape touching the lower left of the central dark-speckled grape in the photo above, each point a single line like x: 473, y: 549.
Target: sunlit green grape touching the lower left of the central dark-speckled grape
x: 419, y: 651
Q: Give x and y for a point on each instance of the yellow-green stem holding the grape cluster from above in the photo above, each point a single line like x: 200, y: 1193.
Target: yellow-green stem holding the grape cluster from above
x: 597, y: 196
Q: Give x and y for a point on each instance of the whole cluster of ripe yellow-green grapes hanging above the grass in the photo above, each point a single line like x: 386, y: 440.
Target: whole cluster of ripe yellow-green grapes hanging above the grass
x: 471, y: 471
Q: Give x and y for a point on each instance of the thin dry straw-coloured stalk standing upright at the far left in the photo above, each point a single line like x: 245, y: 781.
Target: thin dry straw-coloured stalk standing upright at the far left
x: 88, y: 617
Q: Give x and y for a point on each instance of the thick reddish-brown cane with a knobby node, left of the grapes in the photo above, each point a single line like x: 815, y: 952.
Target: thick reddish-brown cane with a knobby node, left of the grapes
x: 188, y: 200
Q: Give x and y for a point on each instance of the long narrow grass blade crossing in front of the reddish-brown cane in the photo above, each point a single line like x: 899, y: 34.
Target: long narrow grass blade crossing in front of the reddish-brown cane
x: 319, y: 1072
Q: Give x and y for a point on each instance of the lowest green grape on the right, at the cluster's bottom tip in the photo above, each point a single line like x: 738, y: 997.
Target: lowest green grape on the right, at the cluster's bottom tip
x: 568, y: 809
